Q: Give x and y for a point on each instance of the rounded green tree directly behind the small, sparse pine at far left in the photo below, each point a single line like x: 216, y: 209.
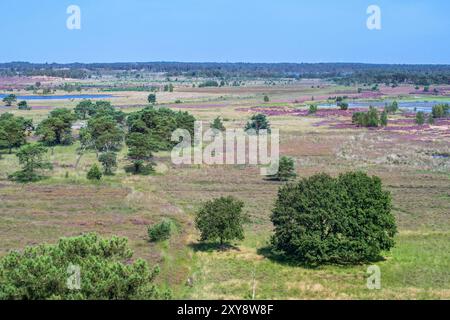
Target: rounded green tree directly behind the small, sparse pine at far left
x: 57, y: 128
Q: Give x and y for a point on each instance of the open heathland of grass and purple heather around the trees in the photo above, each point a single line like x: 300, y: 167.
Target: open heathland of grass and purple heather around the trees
x: 412, y: 162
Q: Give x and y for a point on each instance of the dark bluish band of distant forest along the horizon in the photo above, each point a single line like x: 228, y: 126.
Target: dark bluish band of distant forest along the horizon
x: 343, y: 73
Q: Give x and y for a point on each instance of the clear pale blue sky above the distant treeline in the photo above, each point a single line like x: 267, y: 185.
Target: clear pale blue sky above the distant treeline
x: 413, y: 31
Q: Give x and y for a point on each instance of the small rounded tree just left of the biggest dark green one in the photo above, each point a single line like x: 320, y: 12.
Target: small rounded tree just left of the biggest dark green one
x: 221, y: 219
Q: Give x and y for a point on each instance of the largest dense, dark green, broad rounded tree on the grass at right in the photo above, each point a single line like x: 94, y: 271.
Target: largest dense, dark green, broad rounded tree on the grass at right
x: 334, y: 220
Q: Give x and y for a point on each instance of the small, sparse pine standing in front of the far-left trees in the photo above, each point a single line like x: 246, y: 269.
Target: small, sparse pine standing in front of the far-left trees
x: 31, y: 158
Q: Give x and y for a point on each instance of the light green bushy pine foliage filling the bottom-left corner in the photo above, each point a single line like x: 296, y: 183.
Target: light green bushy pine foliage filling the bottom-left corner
x: 106, y: 273
